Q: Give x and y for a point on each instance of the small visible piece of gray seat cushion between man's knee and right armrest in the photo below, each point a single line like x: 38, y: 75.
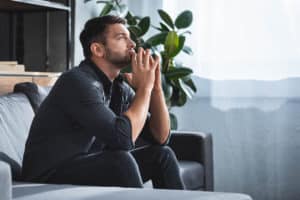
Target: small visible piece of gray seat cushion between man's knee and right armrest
x: 192, y: 174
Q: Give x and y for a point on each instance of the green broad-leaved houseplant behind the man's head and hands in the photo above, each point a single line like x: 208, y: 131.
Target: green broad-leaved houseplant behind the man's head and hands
x: 168, y: 42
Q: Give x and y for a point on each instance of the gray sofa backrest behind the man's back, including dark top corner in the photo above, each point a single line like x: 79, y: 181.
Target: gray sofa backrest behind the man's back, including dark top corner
x: 16, y: 114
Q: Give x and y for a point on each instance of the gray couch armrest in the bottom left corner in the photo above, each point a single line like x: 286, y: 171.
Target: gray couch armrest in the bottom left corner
x: 5, y: 181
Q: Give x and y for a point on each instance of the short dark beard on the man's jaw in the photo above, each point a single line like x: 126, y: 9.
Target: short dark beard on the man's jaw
x: 117, y: 59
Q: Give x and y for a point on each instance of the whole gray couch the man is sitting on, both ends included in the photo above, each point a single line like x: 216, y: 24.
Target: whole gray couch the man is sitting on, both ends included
x: 194, y: 152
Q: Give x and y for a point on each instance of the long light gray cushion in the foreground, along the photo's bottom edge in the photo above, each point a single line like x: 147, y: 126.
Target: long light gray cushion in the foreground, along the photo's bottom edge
x: 69, y: 192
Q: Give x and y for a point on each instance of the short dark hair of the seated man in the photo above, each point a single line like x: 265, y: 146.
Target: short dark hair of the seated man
x: 94, y: 31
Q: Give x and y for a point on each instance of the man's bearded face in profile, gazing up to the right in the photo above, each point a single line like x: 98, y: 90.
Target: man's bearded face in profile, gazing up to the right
x: 118, y: 45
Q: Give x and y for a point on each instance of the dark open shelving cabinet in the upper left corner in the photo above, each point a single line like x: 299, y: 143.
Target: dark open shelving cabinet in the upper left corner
x: 37, y: 33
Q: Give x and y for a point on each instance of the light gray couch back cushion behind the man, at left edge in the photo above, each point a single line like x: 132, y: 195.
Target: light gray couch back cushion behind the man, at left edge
x: 14, y: 130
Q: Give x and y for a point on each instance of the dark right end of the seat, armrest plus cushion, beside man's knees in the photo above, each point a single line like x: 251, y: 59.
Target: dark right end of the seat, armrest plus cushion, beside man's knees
x: 195, y: 155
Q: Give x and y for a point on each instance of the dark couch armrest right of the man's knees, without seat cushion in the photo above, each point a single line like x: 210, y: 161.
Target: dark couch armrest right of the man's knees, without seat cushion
x: 195, y: 146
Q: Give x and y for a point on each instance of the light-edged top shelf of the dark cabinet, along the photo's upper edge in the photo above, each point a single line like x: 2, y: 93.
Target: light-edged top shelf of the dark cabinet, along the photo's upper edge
x: 31, y: 5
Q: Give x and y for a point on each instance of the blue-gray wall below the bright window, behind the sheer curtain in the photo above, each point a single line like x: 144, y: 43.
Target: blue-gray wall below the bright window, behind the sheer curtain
x: 256, y: 134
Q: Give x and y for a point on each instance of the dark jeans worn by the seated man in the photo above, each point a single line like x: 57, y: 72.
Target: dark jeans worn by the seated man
x: 121, y: 168
